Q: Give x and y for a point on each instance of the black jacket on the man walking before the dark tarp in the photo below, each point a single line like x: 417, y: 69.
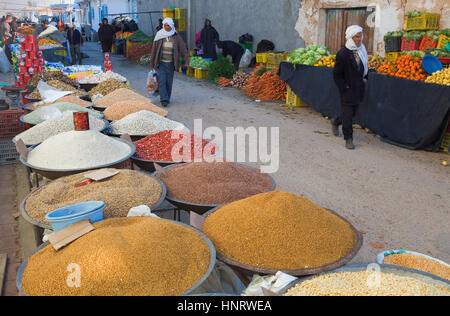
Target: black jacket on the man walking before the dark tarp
x: 348, y: 78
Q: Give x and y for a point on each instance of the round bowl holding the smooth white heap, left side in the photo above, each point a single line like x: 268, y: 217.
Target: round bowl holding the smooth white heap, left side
x: 53, y: 174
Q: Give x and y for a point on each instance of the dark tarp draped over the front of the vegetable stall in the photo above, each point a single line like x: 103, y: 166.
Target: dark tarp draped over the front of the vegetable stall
x: 403, y: 112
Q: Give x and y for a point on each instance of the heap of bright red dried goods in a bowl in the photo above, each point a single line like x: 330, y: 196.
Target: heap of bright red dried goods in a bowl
x: 159, y: 147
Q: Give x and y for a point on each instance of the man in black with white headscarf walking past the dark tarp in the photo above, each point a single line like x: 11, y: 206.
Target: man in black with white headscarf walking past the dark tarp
x: 350, y: 71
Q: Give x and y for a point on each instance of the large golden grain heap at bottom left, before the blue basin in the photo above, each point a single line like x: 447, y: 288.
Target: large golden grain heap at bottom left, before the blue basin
x: 123, y: 257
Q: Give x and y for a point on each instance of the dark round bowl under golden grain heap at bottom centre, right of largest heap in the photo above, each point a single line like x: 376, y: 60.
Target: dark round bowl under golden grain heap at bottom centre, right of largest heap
x: 250, y: 270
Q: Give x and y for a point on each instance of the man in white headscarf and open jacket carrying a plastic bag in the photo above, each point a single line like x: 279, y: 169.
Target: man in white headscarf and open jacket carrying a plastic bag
x: 168, y: 46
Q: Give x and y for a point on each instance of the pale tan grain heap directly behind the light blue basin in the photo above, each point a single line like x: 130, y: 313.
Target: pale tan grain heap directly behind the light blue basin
x: 120, y: 193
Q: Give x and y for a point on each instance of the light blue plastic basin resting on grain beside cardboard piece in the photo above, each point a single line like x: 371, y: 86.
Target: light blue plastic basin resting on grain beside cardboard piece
x: 66, y: 216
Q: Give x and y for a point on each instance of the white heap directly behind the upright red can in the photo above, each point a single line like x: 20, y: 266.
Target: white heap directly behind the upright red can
x: 39, y: 133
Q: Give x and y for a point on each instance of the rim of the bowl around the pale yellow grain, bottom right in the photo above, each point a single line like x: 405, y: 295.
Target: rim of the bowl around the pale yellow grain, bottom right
x: 400, y: 271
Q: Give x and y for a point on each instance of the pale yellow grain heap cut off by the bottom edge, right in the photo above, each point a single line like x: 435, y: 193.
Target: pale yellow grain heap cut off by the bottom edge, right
x: 364, y: 284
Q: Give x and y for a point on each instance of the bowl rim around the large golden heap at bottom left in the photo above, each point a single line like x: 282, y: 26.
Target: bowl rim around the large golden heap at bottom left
x: 212, y: 262
